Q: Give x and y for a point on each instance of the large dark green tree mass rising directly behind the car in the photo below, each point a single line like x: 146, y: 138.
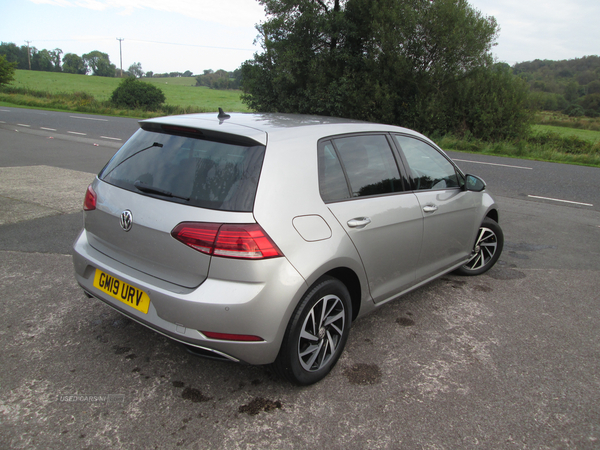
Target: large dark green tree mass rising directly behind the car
x: 391, y: 61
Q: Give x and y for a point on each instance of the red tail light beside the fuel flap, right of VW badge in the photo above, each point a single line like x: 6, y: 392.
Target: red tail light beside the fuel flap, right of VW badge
x: 244, y: 241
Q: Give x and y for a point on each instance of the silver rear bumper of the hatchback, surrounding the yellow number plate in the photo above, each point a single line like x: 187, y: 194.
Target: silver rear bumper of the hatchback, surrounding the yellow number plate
x: 240, y: 297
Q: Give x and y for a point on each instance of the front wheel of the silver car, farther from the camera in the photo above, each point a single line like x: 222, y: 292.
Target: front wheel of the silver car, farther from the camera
x: 486, y: 251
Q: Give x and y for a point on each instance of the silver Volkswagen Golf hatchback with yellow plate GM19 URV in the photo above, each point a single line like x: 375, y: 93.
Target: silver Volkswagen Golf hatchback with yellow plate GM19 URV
x: 260, y: 238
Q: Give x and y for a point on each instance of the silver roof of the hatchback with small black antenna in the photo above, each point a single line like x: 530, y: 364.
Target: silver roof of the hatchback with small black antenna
x: 258, y: 126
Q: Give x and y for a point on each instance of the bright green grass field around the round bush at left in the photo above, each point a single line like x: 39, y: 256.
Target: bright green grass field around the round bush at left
x: 178, y: 91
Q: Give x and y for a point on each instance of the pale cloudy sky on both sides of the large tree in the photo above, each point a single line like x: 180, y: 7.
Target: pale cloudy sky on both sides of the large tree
x: 197, y: 35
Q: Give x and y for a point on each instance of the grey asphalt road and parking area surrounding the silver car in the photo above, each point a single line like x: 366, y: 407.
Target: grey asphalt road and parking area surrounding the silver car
x: 509, y: 359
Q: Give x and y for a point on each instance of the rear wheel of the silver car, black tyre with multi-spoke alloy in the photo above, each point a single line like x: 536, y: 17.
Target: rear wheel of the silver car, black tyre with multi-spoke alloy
x: 317, y: 333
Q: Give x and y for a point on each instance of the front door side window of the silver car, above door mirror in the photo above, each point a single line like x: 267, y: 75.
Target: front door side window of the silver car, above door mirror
x: 429, y: 168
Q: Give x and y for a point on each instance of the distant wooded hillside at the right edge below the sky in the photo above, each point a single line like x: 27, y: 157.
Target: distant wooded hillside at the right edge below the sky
x: 572, y: 86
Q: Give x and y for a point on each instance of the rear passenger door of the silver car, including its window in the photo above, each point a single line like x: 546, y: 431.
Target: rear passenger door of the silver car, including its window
x: 363, y: 184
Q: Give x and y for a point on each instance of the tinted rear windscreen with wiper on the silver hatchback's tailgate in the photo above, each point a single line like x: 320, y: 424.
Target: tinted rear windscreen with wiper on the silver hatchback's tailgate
x: 208, y: 174
